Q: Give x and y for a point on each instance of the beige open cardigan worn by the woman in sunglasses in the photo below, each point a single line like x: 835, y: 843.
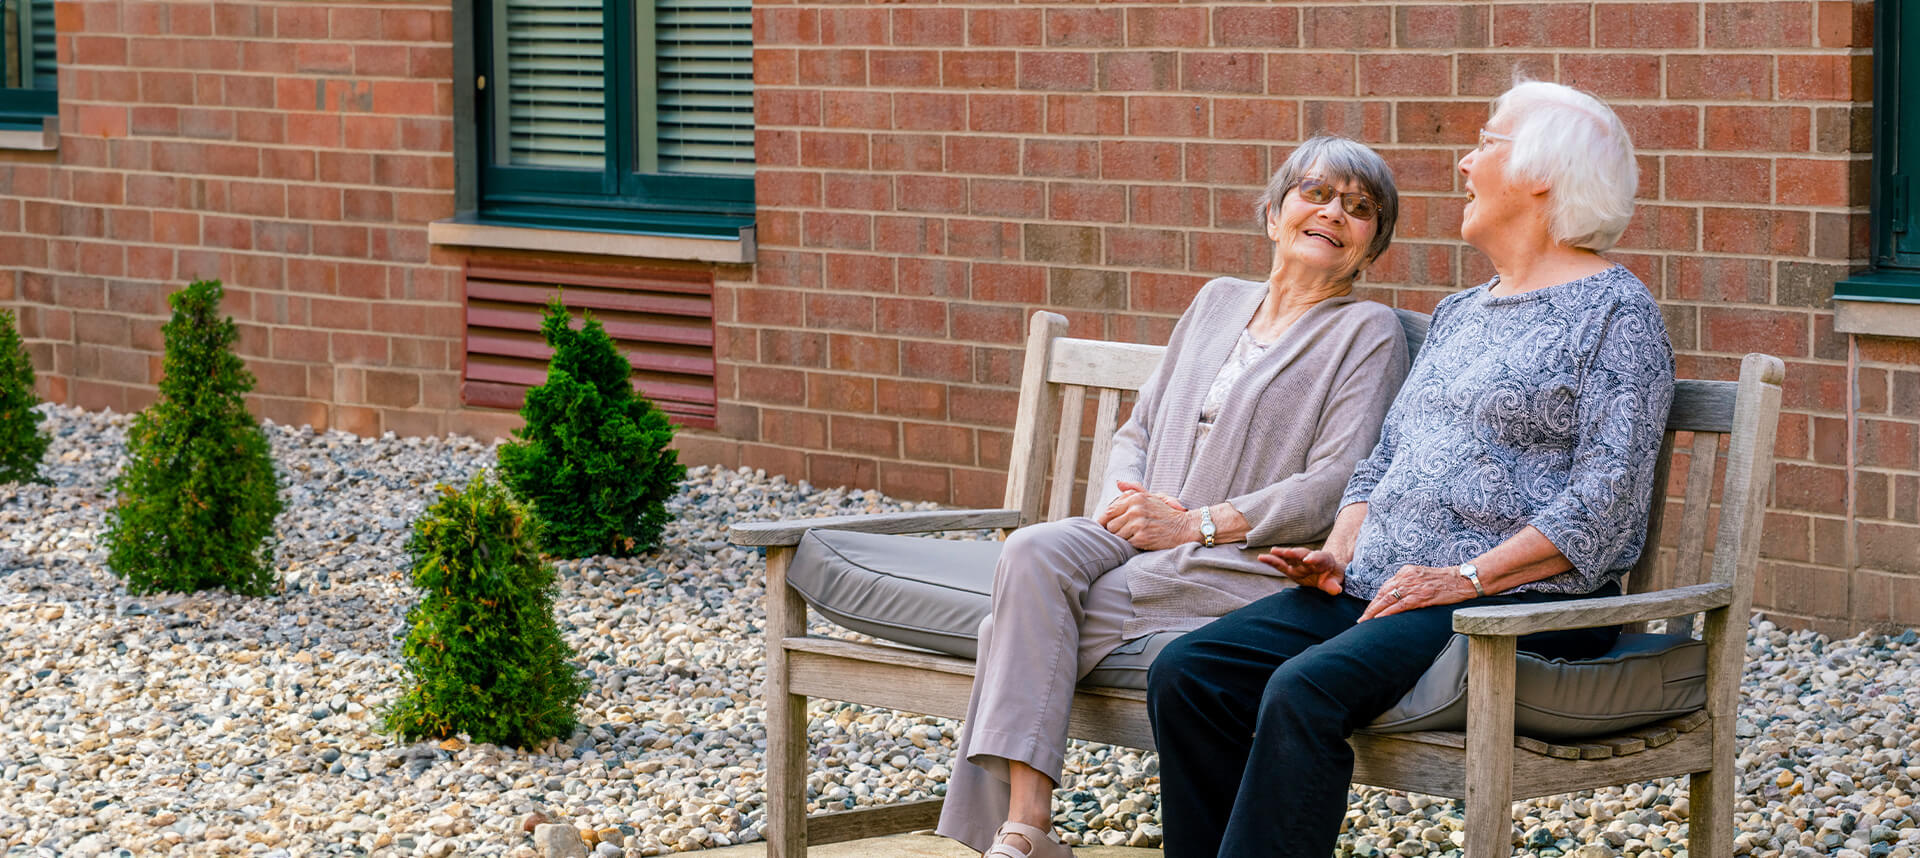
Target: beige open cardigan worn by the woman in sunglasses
x: 1282, y: 450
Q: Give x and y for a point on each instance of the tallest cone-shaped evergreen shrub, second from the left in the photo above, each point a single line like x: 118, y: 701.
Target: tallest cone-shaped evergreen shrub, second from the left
x: 199, y: 496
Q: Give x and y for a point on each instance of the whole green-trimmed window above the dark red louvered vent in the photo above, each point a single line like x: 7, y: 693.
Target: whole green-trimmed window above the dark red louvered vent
x: 619, y: 116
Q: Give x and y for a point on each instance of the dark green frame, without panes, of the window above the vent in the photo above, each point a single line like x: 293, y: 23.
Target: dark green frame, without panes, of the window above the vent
x: 625, y: 199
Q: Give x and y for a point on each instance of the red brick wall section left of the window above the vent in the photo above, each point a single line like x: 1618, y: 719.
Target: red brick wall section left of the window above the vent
x: 295, y: 151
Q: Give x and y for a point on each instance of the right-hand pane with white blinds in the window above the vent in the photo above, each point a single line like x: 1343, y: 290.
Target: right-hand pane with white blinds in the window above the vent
x: 704, y: 76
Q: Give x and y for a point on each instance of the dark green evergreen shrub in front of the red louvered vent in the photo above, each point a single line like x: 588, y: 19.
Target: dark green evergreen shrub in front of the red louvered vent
x: 592, y: 458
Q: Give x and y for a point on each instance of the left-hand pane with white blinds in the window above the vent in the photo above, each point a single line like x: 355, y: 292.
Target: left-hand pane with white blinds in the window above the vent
x: 554, y: 95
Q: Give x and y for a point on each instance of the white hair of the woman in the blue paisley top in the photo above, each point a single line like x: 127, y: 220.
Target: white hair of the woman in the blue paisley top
x: 1581, y: 151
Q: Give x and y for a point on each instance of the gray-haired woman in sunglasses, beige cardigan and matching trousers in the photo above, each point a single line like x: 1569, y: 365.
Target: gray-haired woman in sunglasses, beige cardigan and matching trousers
x: 1243, y: 439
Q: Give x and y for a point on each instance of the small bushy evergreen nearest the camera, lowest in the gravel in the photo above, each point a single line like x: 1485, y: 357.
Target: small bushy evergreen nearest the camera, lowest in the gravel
x: 483, y: 650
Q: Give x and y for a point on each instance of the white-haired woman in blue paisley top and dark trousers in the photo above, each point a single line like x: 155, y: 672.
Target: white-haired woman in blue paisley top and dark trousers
x: 1516, y: 467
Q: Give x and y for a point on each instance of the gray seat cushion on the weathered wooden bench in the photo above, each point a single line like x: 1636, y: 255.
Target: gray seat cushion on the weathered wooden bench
x: 932, y: 594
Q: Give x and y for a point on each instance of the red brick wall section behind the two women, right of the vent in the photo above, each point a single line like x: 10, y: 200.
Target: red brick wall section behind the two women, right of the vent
x: 932, y: 174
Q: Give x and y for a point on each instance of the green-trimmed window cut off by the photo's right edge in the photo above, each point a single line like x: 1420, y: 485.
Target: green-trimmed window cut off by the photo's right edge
x: 1894, y: 270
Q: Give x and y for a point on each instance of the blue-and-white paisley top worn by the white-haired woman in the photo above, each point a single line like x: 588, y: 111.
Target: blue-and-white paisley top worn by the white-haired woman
x: 1545, y: 410
